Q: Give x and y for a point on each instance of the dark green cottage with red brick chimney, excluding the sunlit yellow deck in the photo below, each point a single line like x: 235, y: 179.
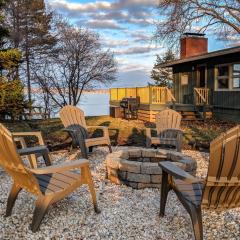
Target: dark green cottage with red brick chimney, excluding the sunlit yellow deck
x: 207, y: 78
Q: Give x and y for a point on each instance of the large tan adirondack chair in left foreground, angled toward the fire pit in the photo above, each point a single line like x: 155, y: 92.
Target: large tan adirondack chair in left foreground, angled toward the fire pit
x: 49, y: 184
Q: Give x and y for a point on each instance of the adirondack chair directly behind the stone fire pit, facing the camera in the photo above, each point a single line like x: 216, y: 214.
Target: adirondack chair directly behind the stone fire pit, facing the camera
x: 168, y: 130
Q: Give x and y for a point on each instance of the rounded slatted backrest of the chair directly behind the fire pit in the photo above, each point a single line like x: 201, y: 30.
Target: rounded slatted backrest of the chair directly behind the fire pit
x: 167, y: 119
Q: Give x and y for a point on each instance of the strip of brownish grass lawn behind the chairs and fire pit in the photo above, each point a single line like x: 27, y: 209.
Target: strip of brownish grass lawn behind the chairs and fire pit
x: 197, y: 135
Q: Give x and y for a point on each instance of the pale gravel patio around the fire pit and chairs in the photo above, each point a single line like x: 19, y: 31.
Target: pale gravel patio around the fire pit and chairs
x: 125, y: 213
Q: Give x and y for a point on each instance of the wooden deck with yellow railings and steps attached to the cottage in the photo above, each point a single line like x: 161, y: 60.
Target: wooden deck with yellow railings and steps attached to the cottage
x: 155, y: 99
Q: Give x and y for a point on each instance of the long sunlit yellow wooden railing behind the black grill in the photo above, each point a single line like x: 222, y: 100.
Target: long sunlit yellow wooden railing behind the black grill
x: 148, y: 95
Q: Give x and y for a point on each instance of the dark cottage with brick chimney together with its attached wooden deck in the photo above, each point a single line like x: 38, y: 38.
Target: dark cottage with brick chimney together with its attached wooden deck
x: 205, y: 84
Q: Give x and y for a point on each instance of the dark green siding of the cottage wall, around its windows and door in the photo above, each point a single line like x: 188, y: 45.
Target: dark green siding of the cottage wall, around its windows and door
x: 226, y: 103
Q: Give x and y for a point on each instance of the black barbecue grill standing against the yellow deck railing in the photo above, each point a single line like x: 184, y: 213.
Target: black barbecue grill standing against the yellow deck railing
x: 130, y: 107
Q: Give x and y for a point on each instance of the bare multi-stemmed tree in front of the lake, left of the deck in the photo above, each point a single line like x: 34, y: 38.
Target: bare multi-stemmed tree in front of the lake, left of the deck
x: 80, y: 63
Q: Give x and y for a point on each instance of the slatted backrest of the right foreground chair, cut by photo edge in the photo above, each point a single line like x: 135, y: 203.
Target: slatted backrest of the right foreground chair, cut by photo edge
x: 222, y: 187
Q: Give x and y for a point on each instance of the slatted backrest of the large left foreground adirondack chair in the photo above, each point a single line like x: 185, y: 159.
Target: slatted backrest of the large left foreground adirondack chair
x: 13, y: 165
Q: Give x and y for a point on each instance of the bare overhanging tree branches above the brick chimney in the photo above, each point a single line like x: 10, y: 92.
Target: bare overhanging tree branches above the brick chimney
x: 179, y: 16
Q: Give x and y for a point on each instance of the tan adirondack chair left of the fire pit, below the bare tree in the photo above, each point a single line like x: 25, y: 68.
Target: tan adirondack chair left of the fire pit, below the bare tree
x: 74, y: 122
